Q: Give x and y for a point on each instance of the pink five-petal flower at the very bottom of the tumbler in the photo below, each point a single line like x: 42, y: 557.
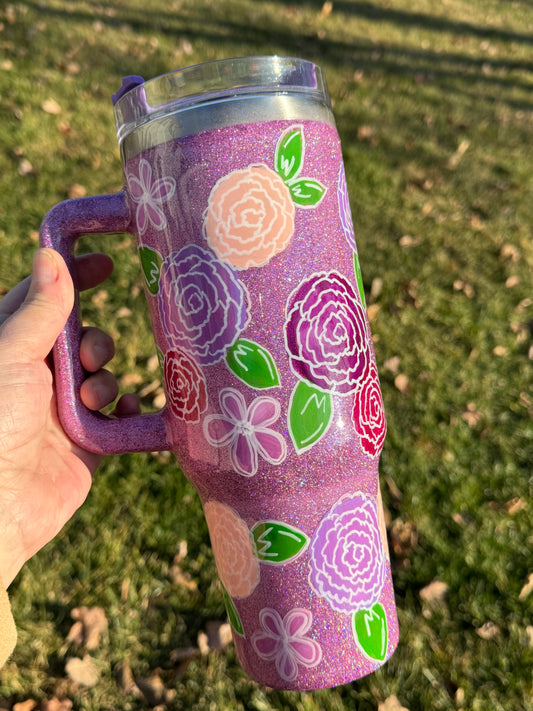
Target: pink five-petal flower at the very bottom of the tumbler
x: 285, y: 641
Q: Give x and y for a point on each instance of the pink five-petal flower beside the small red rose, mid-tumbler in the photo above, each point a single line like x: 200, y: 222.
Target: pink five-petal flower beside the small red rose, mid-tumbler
x: 246, y: 431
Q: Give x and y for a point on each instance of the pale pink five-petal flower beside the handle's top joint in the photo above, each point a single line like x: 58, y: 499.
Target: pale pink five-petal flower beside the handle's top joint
x: 149, y: 193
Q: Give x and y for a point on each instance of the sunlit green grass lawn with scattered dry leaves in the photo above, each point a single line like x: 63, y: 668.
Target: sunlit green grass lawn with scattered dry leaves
x: 433, y: 102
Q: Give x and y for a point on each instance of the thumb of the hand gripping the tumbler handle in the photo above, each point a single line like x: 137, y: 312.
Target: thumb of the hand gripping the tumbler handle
x: 34, y: 327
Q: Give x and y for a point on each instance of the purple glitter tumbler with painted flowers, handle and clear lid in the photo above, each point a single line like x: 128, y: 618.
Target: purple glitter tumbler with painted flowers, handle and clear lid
x: 236, y: 192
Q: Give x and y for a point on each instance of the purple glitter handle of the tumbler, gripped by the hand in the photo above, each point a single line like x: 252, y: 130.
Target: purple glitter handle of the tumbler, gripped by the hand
x: 93, y: 431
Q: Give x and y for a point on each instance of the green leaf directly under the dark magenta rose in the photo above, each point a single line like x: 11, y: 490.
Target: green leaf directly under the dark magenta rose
x: 310, y: 414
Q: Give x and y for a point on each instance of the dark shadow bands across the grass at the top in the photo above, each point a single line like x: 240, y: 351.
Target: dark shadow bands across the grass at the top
x: 463, y: 72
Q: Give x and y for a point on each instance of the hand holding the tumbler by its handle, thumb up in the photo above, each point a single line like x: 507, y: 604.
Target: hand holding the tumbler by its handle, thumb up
x: 44, y: 476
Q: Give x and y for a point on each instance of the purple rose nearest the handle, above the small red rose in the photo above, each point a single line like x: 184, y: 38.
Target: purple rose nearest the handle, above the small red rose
x: 202, y: 304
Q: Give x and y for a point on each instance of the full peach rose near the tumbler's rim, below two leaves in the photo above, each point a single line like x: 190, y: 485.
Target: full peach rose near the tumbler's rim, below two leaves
x: 249, y: 217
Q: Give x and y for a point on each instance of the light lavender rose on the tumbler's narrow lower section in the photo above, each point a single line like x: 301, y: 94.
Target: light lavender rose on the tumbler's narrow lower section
x: 346, y: 552
